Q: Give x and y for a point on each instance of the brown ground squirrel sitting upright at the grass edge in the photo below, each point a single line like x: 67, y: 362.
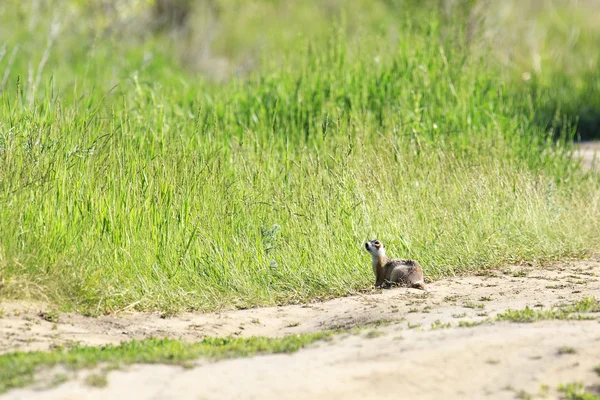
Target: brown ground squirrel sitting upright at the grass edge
x: 394, y: 270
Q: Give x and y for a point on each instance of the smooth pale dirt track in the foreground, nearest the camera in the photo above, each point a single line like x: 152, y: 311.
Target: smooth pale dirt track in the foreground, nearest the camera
x: 499, y: 362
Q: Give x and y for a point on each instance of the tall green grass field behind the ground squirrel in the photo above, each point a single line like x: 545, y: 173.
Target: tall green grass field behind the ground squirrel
x: 243, y: 160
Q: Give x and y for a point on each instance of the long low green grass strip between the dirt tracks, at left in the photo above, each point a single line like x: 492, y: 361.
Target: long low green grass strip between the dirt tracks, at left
x: 19, y: 369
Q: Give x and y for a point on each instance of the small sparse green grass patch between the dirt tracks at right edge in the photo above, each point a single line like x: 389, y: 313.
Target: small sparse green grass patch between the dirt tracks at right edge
x: 579, y: 310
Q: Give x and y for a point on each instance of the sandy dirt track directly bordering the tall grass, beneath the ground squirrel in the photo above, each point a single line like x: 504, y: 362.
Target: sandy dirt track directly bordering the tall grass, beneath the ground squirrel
x: 477, y: 297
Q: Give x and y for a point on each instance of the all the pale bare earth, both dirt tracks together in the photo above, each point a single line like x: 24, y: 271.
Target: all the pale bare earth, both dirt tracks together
x: 406, y: 359
